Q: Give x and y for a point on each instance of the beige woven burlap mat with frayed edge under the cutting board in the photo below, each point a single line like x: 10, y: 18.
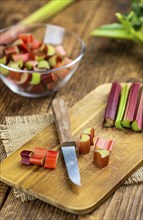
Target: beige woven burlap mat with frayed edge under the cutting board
x: 18, y: 130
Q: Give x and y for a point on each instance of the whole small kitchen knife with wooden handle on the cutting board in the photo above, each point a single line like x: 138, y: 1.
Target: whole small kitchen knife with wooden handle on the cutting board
x: 60, y: 112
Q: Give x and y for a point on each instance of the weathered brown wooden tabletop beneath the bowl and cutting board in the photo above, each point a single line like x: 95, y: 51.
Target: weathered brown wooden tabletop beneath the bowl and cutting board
x: 104, y: 61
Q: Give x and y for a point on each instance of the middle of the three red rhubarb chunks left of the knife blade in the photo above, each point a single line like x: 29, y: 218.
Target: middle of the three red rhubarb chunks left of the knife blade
x: 38, y: 156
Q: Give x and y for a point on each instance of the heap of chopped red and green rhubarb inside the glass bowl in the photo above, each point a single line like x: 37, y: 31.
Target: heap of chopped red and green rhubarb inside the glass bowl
x: 29, y: 54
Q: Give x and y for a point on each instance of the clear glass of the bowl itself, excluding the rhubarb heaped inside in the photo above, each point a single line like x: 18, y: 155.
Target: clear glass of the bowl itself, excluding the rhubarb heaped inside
x: 43, y: 82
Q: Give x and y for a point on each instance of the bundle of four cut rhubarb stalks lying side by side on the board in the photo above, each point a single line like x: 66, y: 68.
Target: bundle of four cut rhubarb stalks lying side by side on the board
x: 125, y: 107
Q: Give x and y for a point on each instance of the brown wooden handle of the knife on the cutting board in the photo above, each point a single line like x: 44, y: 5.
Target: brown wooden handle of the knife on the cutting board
x: 62, y: 120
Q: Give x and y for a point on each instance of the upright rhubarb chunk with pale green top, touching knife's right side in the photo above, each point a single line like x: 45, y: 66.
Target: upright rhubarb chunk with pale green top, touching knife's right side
x: 84, y: 144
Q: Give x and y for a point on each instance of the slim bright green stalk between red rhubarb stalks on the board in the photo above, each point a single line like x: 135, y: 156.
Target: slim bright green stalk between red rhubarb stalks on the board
x: 122, y: 106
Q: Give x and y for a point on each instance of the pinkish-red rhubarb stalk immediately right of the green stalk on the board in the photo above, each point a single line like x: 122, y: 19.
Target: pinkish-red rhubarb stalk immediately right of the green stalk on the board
x: 131, y: 105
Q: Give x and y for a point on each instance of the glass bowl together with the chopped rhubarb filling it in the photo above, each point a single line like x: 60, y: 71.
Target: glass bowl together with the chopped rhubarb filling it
x: 37, y: 60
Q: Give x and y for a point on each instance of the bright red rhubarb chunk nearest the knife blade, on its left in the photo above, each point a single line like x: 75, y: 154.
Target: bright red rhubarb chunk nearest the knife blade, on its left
x: 51, y: 159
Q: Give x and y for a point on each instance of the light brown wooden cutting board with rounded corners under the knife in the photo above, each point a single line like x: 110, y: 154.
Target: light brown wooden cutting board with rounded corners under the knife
x: 53, y: 186
